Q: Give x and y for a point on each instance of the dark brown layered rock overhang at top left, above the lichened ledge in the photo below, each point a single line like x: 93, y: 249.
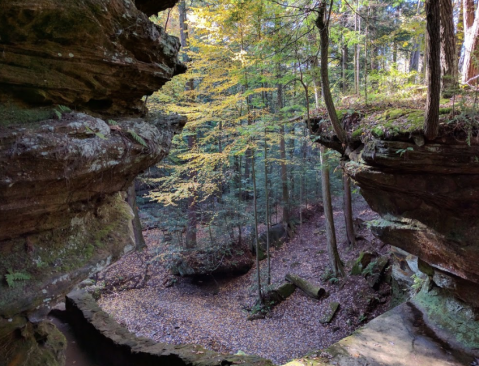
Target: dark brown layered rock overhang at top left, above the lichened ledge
x: 97, y: 55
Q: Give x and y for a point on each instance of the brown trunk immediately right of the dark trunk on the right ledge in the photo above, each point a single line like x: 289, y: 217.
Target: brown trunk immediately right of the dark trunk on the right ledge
x: 448, y: 49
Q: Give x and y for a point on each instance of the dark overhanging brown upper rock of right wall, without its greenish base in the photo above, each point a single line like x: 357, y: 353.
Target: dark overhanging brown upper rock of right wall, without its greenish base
x: 428, y: 198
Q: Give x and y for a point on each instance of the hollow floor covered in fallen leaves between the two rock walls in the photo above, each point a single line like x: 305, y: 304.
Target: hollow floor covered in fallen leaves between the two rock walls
x: 211, y: 313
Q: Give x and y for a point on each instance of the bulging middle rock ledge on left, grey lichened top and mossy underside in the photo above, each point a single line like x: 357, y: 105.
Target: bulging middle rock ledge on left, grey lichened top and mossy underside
x: 62, y: 216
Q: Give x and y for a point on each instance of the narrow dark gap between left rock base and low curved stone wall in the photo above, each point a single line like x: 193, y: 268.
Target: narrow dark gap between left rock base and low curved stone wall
x: 75, y: 354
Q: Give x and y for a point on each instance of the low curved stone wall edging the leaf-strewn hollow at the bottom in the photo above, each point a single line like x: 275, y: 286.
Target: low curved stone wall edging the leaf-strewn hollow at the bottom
x: 112, y: 344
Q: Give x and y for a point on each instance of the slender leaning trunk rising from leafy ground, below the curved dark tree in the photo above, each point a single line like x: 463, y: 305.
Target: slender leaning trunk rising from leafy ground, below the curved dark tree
x: 334, y: 260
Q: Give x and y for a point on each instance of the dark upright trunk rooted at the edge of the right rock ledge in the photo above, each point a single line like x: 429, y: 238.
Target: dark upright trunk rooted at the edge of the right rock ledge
x: 431, y: 123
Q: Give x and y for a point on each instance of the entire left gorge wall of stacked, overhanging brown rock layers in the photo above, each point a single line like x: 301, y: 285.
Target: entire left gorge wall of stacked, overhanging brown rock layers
x: 73, y: 136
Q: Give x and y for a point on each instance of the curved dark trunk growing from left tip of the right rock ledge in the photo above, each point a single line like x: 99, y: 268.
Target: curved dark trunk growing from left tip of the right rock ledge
x: 322, y: 25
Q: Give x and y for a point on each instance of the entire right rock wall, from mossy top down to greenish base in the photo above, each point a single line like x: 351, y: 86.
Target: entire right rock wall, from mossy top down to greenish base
x: 426, y: 194
